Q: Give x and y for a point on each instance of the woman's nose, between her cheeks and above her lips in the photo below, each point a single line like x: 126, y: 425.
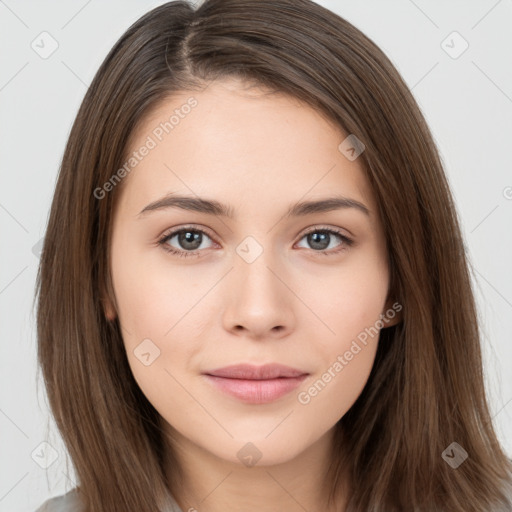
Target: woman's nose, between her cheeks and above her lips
x: 260, y: 302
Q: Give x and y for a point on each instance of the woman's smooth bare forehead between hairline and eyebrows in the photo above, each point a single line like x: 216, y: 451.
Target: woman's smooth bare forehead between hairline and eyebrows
x: 240, y: 144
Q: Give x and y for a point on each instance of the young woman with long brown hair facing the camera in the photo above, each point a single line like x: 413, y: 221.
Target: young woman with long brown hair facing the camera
x: 253, y: 292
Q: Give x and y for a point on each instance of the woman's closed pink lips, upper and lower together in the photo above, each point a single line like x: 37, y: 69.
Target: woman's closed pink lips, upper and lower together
x: 256, y: 384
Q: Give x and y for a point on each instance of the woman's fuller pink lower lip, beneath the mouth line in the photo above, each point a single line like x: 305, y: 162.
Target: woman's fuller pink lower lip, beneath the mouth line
x: 256, y: 391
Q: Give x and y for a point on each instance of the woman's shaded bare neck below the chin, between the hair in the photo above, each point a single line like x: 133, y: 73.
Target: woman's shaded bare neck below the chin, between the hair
x: 212, y: 484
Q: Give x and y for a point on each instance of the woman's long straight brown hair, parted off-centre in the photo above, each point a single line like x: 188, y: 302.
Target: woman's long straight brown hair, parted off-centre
x: 426, y: 389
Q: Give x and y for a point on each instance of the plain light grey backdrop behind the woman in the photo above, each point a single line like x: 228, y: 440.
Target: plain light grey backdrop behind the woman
x: 49, y: 54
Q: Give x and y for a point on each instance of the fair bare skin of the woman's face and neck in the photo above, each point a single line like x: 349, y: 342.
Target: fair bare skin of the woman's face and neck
x: 259, y: 153
